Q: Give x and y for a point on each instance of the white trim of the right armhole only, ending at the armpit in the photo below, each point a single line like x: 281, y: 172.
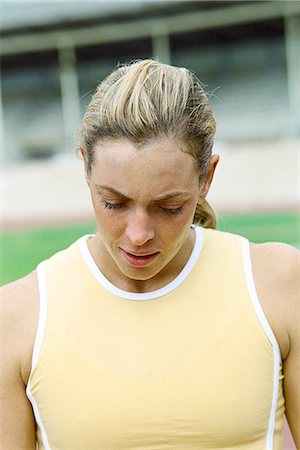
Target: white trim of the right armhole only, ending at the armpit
x: 255, y: 299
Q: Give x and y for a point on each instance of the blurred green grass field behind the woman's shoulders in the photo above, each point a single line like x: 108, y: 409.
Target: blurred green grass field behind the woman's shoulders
x: 22, y: 250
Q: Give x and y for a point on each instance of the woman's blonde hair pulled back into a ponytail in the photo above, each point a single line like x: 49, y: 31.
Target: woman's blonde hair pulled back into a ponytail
x: 147, y: 99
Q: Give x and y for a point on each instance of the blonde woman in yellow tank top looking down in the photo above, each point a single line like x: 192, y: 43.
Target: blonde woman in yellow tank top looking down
x: 157, y: 332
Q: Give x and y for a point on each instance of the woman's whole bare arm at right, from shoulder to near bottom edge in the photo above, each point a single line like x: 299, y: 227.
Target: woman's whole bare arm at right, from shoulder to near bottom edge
x: 277, y: 276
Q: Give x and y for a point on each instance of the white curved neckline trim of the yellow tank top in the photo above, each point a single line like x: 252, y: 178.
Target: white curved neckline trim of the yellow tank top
x: 82, y: 242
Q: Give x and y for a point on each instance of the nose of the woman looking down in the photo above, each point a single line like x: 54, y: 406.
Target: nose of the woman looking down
x: 139, y: 229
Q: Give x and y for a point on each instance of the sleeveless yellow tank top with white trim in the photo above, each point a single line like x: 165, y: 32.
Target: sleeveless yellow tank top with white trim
x: 191, y: 366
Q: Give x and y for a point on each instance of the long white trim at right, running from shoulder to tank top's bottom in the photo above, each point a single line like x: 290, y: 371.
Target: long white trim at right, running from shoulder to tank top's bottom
x: 268, y: 331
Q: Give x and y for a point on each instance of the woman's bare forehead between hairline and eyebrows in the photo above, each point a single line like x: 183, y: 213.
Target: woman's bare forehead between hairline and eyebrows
x: 147, y: 171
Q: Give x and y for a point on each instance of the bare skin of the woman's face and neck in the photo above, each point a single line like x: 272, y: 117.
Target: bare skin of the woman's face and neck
x: 136, y: 220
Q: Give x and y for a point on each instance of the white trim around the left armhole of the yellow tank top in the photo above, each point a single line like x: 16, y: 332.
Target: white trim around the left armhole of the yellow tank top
x: 42, y: 317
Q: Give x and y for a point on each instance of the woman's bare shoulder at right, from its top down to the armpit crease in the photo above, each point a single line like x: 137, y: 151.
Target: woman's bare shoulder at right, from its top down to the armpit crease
x: 276, y: 269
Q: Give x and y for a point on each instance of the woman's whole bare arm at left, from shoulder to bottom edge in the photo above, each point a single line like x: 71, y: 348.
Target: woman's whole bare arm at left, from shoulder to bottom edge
x: 19, y: 307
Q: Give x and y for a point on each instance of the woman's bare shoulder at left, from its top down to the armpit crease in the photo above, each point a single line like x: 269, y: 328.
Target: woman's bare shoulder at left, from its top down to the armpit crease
x: 20, y: 311
